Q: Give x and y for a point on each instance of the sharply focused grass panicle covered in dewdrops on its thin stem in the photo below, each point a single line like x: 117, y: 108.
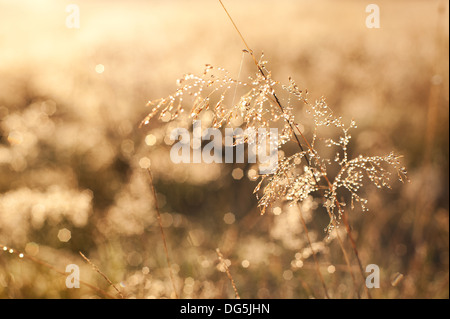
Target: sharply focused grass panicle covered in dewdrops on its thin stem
x: 337, y: 181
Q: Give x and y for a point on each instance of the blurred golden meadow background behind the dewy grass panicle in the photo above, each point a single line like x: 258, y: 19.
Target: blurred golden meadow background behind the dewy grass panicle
x: 73, y: 158
